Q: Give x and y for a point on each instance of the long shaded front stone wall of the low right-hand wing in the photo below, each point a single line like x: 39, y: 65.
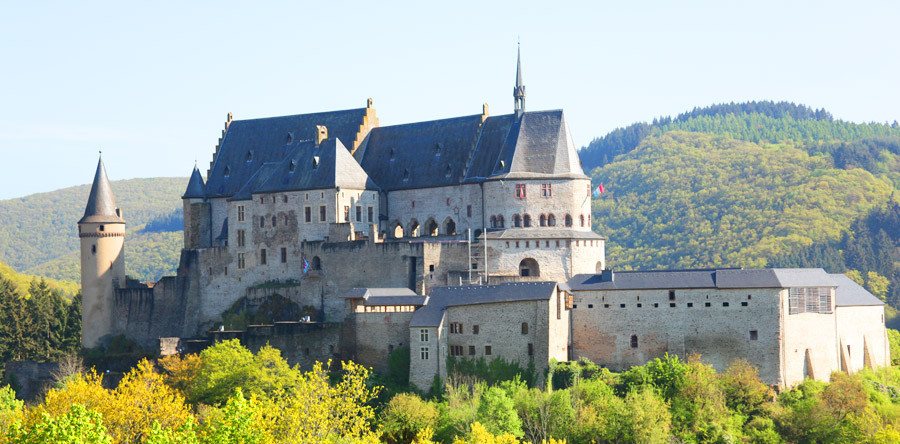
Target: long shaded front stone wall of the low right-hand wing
x: 602, y: 329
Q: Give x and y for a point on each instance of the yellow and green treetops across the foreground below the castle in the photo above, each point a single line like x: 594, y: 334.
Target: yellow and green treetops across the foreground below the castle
x: 227, y: 394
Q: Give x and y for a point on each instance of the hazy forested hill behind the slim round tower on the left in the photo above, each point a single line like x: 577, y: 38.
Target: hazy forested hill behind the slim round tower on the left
x: 38, y: 233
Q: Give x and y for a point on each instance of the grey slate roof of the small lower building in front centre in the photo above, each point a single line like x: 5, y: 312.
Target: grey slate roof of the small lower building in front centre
x: 432, y: 314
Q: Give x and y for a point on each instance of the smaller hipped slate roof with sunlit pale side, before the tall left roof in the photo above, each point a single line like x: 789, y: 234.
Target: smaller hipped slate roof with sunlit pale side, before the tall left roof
x: 308, y: 167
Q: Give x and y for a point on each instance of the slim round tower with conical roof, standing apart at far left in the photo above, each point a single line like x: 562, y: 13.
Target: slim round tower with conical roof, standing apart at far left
x: 102, y: 234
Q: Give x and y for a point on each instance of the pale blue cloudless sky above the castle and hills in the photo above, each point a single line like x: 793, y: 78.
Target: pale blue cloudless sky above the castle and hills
x: 150, y: 84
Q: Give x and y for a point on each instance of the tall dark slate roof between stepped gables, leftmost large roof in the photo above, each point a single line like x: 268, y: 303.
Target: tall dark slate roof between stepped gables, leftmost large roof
x: 271, y: 140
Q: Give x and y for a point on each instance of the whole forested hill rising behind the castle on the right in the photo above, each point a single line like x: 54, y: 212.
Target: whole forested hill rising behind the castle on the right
x: 753, y: 185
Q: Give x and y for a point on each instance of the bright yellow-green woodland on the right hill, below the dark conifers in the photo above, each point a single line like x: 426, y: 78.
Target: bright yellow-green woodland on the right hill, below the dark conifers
x: 683, y: 200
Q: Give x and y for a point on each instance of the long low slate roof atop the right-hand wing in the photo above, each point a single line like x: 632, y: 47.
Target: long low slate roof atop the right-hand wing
x: 709, y: 278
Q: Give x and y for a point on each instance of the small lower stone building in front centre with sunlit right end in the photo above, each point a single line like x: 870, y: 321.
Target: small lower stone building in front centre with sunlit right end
x: 520, y: 322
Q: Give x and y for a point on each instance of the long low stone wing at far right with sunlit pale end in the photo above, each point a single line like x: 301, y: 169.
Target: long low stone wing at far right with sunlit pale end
x: 790, y: 323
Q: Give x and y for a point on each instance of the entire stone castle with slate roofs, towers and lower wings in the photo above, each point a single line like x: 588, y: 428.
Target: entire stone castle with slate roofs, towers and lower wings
x: 465, y: 237
